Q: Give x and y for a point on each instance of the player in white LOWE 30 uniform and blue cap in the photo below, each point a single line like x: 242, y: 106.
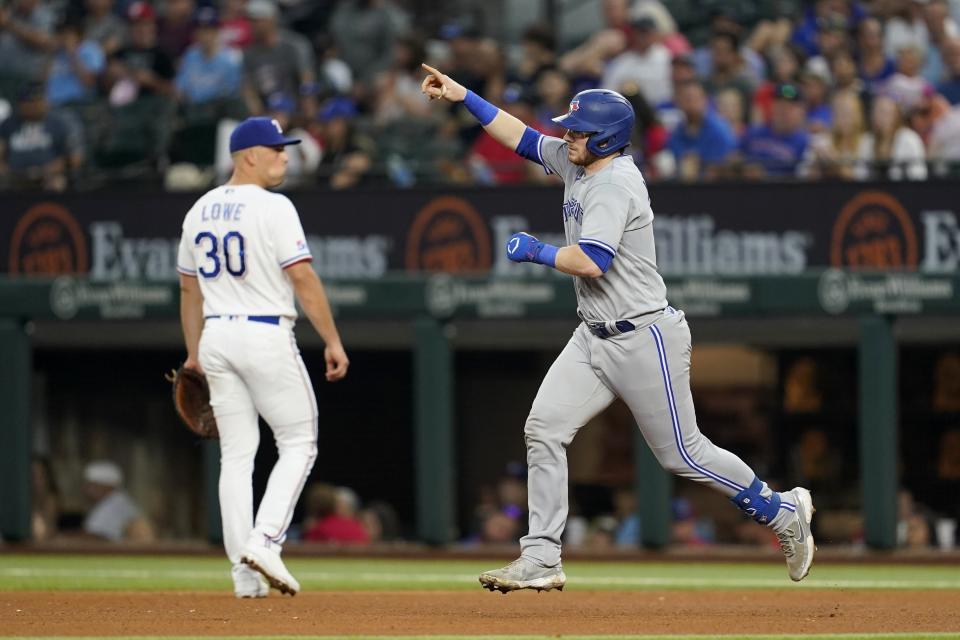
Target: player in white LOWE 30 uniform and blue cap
x: 243, y: 257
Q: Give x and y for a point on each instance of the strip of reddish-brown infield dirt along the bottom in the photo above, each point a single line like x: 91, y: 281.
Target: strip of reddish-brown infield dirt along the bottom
x: 572, y: 612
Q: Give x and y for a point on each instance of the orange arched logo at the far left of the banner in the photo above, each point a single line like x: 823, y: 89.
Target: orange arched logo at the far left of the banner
x: 48, y: 241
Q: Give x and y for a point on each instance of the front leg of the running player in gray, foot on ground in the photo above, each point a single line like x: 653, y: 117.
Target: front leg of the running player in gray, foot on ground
x: 569, y: 396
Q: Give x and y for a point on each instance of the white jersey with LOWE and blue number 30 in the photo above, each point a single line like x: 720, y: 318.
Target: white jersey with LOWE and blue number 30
x: 237, y: 240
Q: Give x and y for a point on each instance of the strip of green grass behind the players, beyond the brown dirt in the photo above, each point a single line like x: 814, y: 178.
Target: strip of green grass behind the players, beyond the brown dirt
x: 126, y: 573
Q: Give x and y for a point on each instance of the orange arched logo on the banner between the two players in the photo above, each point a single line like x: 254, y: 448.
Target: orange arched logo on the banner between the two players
x: 448, y: 235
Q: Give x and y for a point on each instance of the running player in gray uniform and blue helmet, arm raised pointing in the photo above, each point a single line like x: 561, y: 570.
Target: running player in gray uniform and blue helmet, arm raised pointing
x: 631, y: 343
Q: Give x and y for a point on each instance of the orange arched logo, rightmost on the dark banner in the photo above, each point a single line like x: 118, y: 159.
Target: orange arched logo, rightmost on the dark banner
x: 874, y: 231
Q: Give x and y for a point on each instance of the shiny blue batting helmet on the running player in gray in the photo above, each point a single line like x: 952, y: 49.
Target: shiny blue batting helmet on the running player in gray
x: 606, y: 115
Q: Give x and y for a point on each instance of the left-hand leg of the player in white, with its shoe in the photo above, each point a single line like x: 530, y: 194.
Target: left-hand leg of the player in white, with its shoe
x: 237, y: 423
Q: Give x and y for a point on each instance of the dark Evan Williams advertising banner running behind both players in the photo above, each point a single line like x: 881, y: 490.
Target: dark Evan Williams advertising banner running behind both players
x: 701, y: 230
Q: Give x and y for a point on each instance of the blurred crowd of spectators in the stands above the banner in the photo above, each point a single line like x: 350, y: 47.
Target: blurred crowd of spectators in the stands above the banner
x: 106, y: 91
